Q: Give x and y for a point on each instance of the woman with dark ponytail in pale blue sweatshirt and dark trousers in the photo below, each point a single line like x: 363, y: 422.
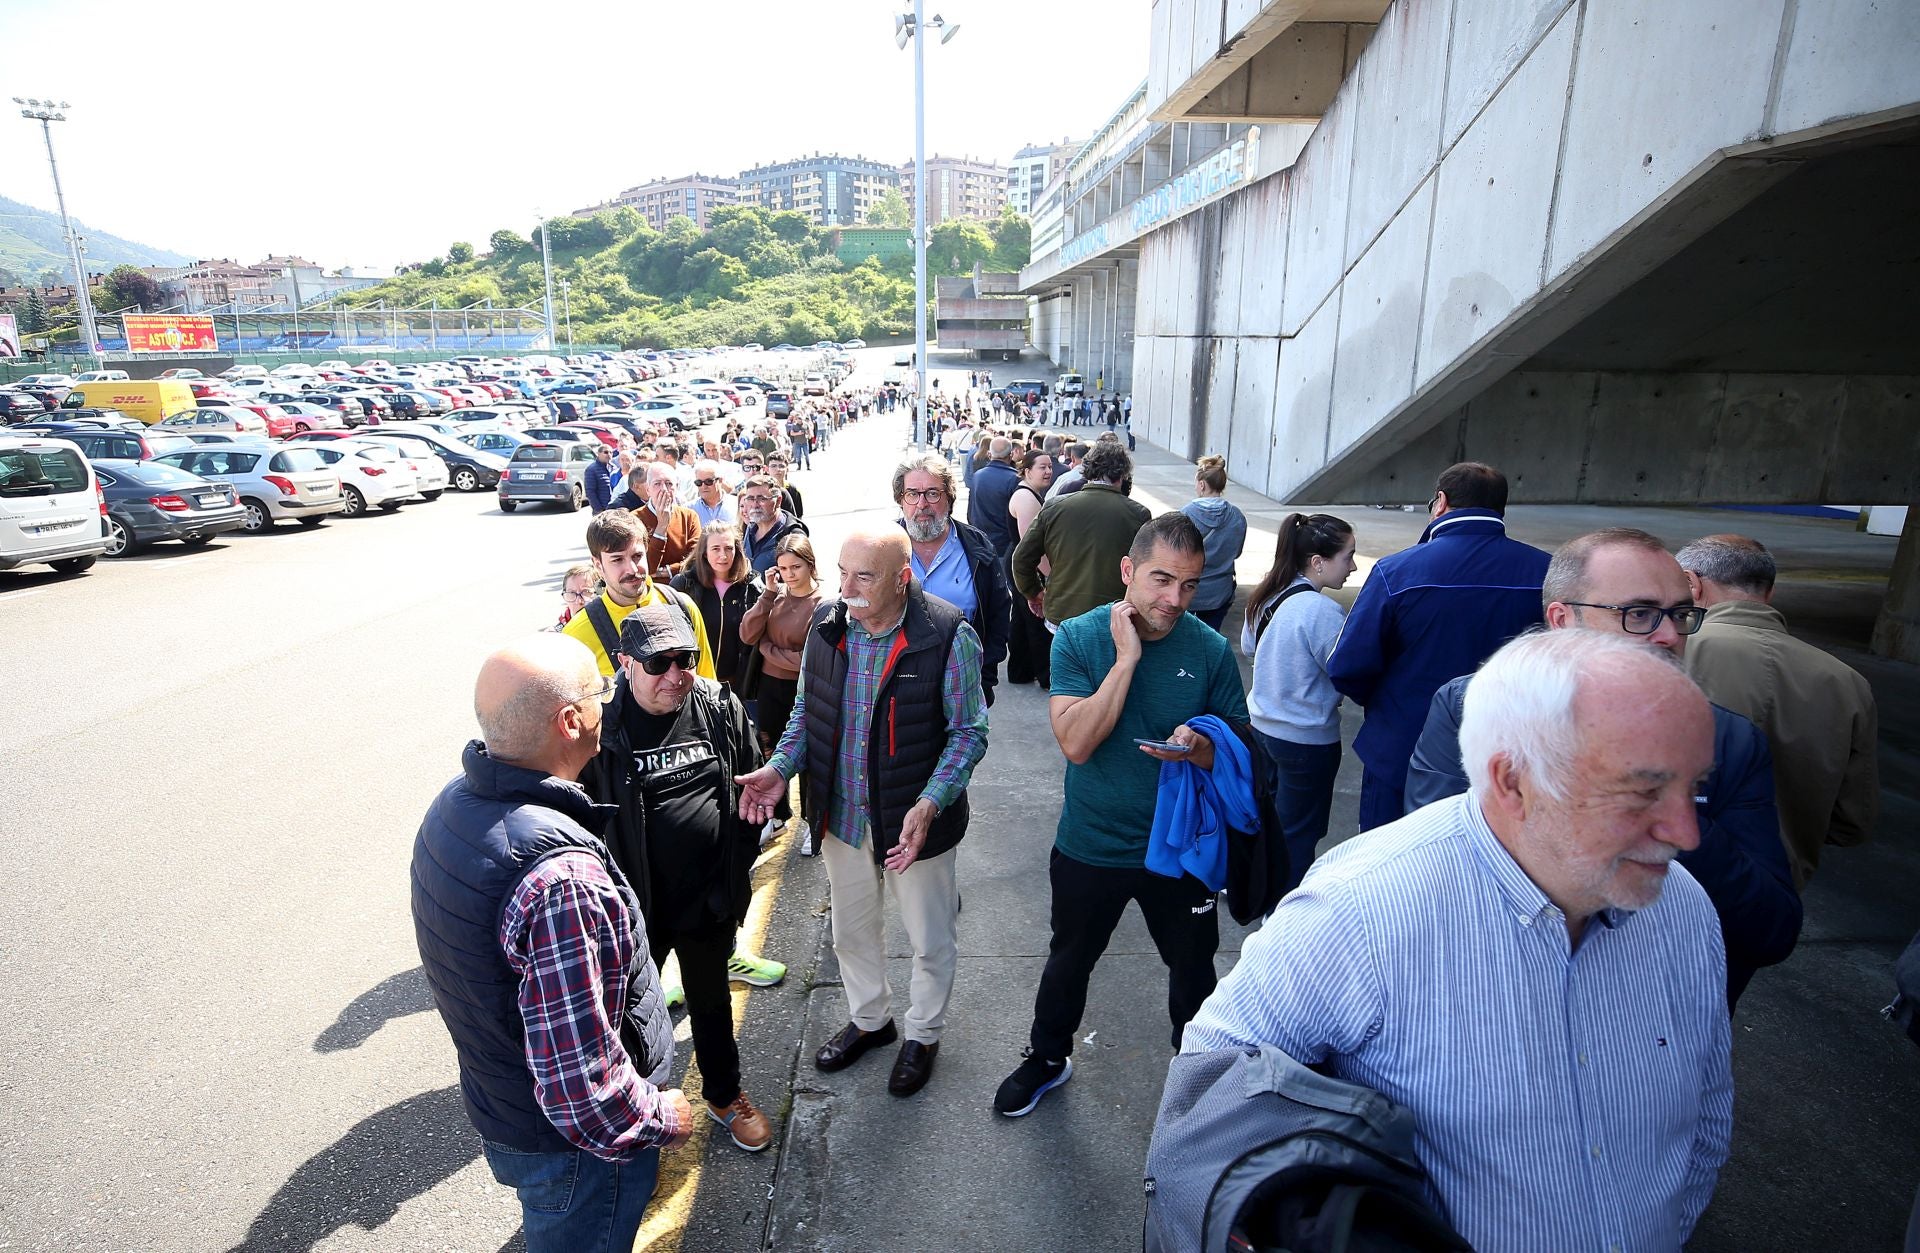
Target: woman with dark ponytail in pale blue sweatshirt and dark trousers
x: 1289, y: 632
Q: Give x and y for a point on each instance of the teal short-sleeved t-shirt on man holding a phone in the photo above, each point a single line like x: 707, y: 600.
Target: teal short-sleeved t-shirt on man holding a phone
x: 1109, y: 809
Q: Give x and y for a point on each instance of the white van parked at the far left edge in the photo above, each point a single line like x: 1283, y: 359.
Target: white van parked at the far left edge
x: 51, y: 506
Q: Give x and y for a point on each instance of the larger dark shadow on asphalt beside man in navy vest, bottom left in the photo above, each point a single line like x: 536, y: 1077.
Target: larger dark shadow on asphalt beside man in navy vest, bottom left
x: 364, y: 1179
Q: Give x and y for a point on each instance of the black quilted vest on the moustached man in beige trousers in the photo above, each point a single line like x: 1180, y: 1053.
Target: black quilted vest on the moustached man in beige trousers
x: 909, y: 728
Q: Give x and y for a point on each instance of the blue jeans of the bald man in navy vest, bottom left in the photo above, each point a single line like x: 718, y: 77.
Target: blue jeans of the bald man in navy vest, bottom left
x: 575, y: 1202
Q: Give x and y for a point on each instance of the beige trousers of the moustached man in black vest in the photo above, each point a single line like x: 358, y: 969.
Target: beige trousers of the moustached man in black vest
x: 930, y: 910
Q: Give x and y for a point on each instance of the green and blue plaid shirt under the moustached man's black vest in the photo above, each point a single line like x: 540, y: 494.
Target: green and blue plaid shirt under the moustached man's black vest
x: 850, y: 811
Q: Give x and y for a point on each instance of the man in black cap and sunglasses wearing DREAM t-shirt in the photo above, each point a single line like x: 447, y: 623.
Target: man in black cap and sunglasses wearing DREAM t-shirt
x: 671, y: 747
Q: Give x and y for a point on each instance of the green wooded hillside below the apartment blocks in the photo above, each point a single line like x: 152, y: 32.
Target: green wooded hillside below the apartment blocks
x: 752, y: 277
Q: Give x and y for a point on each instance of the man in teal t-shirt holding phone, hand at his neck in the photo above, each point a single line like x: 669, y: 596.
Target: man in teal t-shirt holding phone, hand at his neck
x: 1138, y: 669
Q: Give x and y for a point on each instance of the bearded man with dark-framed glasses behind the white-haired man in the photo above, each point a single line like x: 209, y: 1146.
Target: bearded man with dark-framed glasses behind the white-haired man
x: 1623, y: 582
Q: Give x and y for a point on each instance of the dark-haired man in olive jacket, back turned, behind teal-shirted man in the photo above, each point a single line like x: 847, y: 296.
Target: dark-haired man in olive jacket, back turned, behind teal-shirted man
x: 1082, y: 536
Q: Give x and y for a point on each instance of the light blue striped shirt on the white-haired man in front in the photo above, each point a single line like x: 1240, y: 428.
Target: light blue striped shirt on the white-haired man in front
x: 1572, y: 1100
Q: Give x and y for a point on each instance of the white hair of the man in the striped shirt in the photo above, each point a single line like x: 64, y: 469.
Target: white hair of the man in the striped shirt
x: 1520, y: 703
